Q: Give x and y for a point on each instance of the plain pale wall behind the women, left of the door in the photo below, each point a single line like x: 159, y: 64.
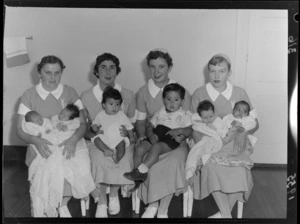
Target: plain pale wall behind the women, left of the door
x: 79, y: 35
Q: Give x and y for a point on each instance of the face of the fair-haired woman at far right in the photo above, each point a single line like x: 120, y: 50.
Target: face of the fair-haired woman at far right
x: 218, y: 75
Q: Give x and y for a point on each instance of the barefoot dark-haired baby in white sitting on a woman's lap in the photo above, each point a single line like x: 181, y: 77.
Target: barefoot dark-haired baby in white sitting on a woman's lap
x: 108, y: 122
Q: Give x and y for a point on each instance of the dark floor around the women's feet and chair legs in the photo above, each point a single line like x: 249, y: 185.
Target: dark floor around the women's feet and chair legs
x: 267, y: 200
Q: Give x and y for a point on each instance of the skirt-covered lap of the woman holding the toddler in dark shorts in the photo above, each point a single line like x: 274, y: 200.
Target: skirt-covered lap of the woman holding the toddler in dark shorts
x: 165, y: 177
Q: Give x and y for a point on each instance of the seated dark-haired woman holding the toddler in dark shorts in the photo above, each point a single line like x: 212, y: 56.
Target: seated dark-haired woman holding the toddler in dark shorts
x: 167, y: 176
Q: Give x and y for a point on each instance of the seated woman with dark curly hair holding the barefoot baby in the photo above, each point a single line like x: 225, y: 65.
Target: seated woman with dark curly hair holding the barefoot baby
x: 104, y: 170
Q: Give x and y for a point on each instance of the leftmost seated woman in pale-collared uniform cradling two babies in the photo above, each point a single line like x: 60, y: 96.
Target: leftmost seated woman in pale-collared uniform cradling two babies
x: 48, y: 98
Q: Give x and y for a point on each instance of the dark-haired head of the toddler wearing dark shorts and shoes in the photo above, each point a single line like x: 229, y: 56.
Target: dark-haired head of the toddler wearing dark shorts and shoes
x: 173, y: 97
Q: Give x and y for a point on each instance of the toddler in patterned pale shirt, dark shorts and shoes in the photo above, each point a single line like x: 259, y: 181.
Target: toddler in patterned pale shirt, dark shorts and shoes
x: 164, y: 130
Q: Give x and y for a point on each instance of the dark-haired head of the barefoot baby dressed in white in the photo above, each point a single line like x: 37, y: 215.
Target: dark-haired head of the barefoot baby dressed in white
x: 111, y: 100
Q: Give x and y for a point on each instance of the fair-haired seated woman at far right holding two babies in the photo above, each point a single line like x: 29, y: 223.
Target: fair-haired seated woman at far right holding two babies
x: 226, y: 183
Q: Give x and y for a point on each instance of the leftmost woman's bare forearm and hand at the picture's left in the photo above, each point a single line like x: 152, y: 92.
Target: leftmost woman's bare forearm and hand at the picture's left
x: 40, y: 143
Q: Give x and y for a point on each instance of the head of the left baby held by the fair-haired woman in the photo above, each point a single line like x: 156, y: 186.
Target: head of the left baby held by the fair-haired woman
x: 206, y: 111
